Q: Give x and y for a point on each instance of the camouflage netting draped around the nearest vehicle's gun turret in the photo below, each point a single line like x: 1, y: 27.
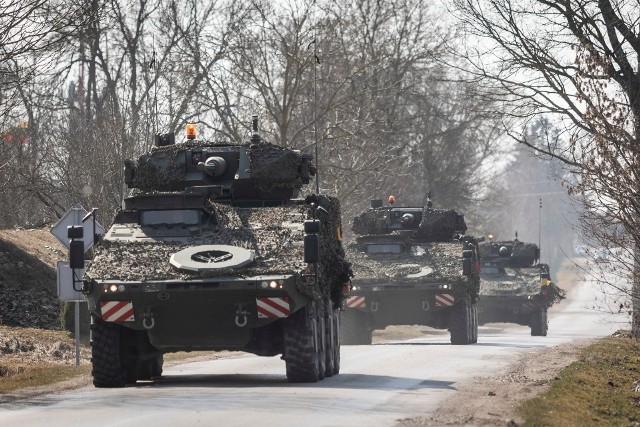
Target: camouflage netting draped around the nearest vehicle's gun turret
x: 163, y: 169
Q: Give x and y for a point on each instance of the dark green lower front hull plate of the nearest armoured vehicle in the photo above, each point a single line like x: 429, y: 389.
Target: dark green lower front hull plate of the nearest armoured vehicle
x: 202, y: 315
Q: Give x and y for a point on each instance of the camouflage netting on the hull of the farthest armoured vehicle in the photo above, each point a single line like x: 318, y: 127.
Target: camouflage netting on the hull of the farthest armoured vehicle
x: 518, y: 282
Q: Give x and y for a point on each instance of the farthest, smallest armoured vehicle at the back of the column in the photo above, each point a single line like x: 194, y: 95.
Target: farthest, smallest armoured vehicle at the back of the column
x: 514, y: 287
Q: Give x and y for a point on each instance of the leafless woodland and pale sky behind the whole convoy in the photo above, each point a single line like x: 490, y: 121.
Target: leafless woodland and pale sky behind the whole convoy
x: 399, y: 98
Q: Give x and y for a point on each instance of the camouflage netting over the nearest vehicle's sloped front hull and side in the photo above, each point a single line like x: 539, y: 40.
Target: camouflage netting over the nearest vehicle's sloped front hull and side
x: 278, y: 249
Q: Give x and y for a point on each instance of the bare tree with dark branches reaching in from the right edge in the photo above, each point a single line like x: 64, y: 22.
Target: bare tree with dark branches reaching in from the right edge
x: 577, y: 62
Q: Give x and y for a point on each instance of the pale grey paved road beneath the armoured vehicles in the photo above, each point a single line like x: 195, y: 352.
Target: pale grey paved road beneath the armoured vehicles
x: 378, y: 384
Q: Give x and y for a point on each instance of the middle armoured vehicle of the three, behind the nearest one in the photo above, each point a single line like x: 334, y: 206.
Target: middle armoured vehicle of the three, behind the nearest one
x: 412, y: 266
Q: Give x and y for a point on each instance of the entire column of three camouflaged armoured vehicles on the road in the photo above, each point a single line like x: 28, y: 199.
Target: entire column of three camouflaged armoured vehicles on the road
x: 213, y: 249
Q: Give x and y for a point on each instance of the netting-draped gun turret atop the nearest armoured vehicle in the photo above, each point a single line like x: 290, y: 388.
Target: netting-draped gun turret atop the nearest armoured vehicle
x: 221, y: 170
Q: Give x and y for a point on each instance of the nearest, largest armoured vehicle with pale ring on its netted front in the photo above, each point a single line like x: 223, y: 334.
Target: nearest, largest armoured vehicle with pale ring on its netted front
x: 212, y: 250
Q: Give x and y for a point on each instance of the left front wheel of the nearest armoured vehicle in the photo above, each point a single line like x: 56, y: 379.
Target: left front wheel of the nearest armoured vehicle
x: 108, y: 367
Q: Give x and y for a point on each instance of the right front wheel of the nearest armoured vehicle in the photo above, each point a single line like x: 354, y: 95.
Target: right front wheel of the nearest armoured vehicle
x: 301, y: 345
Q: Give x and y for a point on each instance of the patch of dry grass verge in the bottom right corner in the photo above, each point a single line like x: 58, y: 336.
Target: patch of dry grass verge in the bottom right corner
x: 598, y: 389
